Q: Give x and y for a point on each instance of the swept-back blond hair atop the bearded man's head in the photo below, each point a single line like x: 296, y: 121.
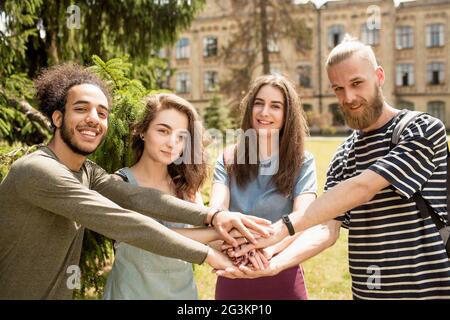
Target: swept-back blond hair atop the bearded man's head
x: 347, y: 48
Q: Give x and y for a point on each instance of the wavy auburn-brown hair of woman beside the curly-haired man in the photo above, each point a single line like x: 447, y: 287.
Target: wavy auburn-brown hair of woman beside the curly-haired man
x: 188, y: 176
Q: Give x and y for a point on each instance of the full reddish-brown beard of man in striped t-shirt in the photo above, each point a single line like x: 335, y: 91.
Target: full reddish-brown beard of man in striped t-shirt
x: 371, y: 112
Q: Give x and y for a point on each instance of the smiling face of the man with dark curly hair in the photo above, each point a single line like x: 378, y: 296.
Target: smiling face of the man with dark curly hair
x: 84, y: 123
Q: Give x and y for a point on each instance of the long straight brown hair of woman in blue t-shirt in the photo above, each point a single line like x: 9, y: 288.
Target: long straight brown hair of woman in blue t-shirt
x: 292, y: 136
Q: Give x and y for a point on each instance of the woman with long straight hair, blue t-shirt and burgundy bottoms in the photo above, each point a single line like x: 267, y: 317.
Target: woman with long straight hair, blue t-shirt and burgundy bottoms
x: 269, y: 174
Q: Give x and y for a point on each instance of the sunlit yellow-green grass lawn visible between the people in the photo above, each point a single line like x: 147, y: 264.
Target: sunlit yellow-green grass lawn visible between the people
x: 327, y: 275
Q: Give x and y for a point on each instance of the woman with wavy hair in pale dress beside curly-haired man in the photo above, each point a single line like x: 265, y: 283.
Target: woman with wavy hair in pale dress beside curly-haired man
x: 168, y: 155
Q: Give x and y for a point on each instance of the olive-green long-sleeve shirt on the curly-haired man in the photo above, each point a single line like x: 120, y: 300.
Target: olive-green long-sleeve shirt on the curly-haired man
x: 44, y: 207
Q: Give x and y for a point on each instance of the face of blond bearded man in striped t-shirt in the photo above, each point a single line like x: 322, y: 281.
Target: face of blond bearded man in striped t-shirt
x: 357, y: 86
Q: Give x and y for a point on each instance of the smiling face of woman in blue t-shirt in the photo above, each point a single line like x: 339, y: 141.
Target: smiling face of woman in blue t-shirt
x: 268, y: 109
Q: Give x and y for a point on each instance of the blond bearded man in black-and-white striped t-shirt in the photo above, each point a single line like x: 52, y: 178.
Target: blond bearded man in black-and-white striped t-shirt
x: 394, y: 253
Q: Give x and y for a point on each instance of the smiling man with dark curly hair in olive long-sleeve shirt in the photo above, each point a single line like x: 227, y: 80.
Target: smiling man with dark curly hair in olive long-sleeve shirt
x: 50, y: 195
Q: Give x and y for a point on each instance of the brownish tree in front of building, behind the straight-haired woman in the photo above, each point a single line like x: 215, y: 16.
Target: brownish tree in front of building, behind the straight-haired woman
x: 266, y: 23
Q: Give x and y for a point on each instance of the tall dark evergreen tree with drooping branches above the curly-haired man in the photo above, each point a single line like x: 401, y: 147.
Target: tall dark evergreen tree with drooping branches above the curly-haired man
x: 39, y: 33
